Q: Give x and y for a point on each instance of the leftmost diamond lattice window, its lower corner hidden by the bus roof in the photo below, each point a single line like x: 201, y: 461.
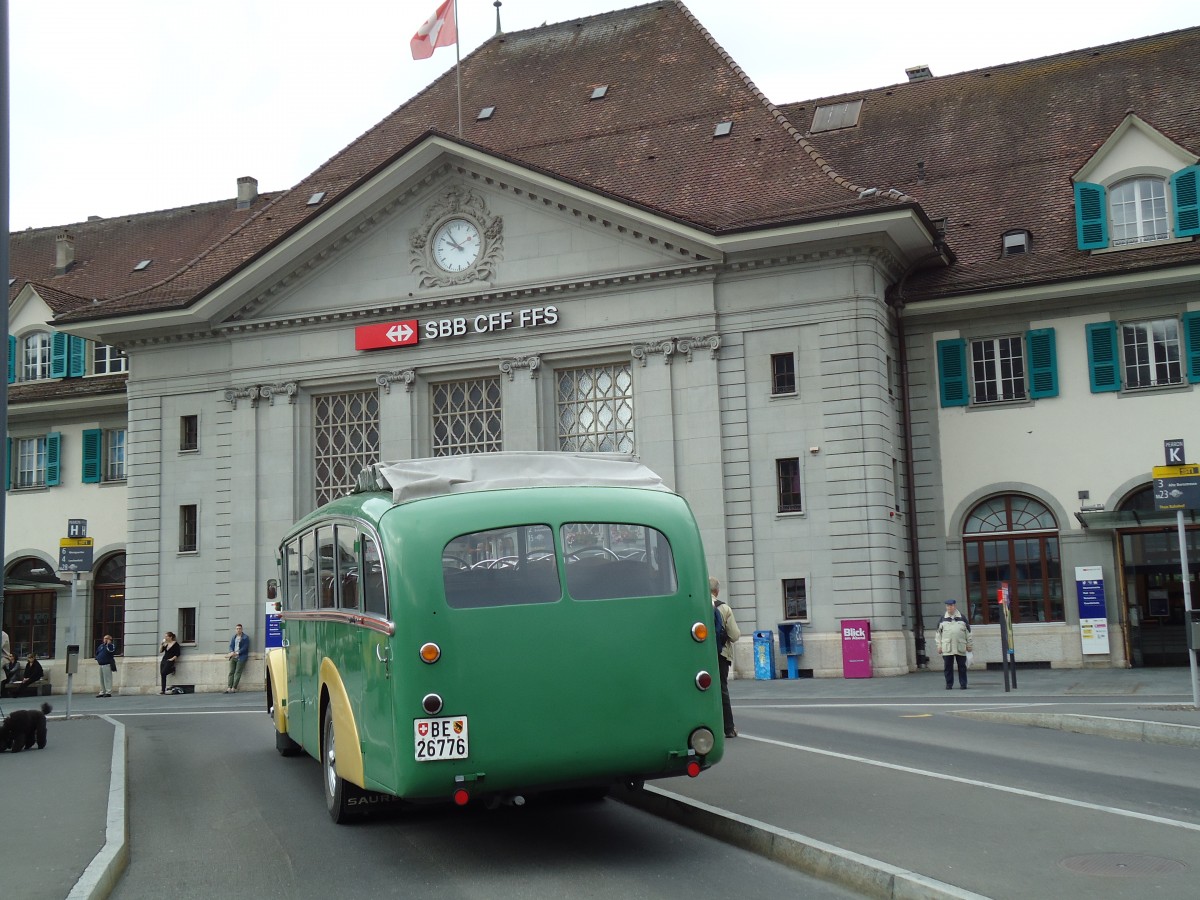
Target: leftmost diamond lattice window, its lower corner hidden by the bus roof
x: 346, y: 440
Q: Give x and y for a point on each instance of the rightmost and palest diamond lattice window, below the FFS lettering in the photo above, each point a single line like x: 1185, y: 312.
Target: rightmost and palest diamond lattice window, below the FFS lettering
x: 596, y: 410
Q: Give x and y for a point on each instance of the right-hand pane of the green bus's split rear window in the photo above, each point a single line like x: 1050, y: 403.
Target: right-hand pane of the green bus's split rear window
x: 609, y: 561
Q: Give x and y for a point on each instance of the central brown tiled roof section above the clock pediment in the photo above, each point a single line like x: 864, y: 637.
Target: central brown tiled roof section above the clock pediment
x: 649, y: 142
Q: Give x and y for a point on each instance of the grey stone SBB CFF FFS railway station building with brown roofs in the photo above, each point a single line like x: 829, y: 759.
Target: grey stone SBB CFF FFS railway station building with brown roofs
x: 898, y: 346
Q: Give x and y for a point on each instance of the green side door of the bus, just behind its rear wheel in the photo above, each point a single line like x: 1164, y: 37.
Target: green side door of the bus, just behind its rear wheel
x: 376, y: 723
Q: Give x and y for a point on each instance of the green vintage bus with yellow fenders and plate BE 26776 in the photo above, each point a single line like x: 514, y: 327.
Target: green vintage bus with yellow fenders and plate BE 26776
x: 489, y: 627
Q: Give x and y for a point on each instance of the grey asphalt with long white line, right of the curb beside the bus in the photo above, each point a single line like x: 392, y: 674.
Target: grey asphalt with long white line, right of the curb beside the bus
x: 1003, y: 811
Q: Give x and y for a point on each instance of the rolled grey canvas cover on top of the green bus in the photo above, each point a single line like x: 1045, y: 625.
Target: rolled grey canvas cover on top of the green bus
x: 417, y: 479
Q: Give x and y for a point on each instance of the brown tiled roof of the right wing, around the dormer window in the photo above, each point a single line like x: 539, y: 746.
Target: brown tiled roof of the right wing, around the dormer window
x: 1000, y: 147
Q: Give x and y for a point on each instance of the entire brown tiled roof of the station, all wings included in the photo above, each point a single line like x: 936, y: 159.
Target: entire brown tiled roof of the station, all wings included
x: 999, y: 147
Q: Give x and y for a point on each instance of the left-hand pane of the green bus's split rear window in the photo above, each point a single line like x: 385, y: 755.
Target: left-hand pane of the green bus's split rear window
x: 501, y: 567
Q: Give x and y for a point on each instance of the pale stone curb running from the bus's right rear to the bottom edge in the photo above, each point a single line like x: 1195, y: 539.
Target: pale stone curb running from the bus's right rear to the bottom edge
x: 824, y: 861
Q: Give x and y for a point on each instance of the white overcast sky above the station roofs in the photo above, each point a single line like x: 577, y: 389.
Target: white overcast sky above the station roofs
x: 131, y: 106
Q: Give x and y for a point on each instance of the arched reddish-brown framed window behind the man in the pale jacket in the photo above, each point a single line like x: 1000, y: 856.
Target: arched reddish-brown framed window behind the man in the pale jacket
x: 1013, y: 539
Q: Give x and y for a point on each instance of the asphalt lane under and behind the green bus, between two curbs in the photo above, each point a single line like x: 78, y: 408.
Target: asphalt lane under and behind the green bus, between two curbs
x: 215, y: 811
